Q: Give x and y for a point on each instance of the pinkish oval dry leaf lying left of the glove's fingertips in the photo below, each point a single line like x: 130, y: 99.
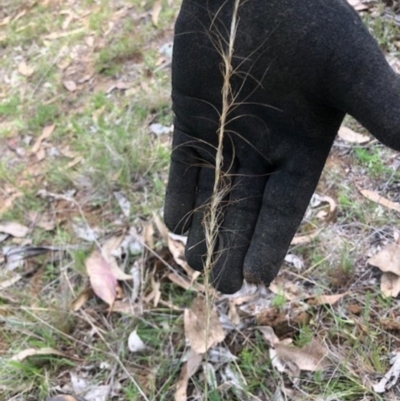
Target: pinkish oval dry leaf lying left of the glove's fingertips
x: 102, y: 280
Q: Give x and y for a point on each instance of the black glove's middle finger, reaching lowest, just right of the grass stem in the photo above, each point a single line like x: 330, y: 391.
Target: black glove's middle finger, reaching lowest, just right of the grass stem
x: 240, y: 218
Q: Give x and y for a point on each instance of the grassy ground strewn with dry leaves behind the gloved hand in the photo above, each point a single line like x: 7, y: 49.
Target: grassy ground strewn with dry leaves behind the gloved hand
x: 85, y: 125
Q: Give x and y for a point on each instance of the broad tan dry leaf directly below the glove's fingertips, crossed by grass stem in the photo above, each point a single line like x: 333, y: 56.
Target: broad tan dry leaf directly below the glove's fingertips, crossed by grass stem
x: 201, y: 337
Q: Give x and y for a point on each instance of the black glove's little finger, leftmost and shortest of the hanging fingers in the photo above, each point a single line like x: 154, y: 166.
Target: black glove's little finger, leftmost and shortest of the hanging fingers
x: 181, y: 188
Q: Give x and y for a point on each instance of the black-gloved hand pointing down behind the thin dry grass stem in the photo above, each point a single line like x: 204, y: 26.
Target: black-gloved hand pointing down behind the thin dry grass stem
x: 299, y: 67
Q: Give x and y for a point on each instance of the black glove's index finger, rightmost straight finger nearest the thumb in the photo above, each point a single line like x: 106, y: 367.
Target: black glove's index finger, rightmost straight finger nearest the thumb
x: 285, y: 201
